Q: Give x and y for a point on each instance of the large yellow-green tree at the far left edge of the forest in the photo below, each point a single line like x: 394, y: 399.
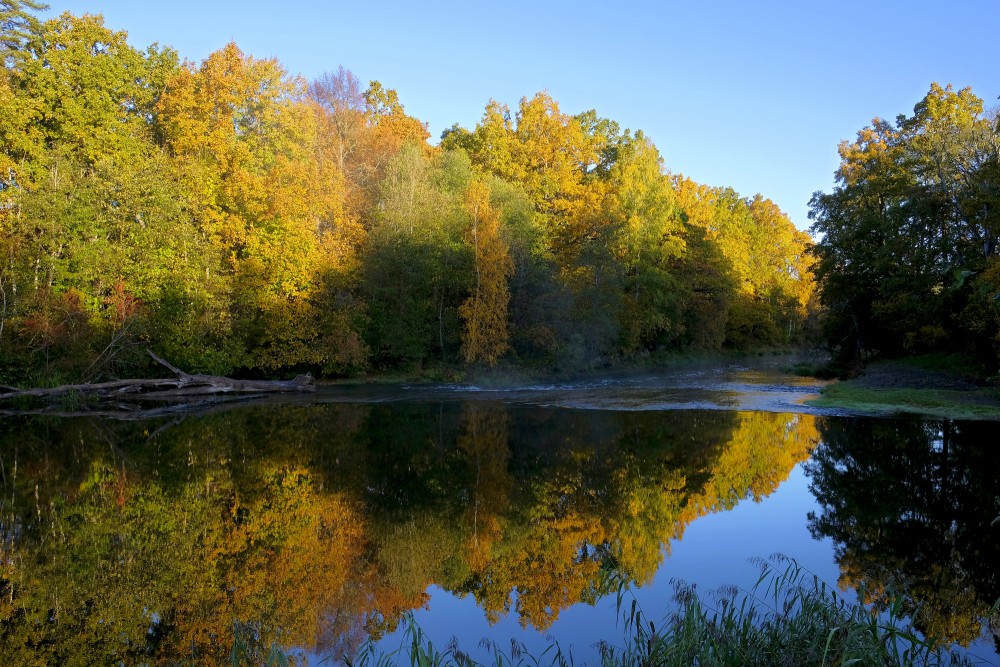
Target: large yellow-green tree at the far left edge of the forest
x: 72, y: 217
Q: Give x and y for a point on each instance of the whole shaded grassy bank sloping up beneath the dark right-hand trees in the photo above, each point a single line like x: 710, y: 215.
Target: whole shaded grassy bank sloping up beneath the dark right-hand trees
x: 935, y: 386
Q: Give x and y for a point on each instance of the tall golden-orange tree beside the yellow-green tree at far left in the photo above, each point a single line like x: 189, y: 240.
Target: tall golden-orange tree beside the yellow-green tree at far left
x: 245, y: 135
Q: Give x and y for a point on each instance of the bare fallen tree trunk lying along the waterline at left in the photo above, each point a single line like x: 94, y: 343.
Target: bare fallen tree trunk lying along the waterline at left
x: 178, y: 388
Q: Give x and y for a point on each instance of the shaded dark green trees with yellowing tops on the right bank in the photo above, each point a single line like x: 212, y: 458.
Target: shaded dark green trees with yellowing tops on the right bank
x: 909, y: 229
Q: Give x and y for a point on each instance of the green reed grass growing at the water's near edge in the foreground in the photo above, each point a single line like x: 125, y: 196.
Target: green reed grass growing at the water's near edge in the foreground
x: 789, y: 617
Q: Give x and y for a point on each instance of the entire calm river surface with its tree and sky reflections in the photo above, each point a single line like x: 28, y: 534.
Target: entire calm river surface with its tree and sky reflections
x: 485, y: 514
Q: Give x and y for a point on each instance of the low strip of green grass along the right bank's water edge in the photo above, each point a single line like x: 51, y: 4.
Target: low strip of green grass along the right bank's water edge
x: 941, y: 403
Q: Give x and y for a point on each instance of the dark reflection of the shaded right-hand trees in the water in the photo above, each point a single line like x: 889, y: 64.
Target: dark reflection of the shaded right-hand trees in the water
x: 914, y: 508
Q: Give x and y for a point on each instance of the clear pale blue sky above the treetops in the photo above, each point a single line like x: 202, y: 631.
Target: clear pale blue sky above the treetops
x: 751, y: 94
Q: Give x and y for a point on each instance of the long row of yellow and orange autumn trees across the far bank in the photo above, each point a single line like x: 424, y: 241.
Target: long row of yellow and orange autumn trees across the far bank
x: 237, y: 219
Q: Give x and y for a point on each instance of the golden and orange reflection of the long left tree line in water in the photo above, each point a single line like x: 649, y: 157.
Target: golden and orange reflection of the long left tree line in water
x: 318, y: 526
